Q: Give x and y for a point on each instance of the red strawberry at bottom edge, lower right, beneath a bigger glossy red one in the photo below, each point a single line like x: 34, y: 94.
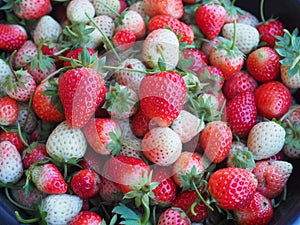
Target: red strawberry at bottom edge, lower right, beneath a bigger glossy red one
x: 258, y: 210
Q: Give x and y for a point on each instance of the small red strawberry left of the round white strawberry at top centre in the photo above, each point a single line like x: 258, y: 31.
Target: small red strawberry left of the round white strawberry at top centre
x: 123, y: 40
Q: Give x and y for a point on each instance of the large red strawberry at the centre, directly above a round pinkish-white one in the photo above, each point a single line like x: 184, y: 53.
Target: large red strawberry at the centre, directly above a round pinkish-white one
x: 162, y: 96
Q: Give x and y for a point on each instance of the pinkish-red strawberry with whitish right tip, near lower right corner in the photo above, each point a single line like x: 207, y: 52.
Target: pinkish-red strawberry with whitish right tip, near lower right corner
x: 272, y: 176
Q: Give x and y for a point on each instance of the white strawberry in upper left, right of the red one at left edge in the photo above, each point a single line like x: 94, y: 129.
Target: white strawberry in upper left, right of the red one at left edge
x: 47, y: 29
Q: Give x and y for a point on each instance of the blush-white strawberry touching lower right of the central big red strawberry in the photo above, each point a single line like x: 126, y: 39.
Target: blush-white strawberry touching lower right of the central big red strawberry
x: 187, y: 126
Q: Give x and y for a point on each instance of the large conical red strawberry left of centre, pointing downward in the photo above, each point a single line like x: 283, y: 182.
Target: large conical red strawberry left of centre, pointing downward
x: 74, y: 87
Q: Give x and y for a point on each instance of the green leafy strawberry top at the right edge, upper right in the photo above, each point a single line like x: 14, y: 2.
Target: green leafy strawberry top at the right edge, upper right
x: 288, y: 47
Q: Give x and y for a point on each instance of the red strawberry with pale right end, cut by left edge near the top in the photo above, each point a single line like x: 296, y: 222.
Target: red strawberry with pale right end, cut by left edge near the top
x: 12, y: 37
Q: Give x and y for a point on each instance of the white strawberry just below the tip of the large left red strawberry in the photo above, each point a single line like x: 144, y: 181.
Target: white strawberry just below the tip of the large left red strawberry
x: 66, y: 144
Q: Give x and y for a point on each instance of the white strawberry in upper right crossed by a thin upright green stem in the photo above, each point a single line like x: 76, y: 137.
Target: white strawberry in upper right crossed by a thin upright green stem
x: 247, y: 37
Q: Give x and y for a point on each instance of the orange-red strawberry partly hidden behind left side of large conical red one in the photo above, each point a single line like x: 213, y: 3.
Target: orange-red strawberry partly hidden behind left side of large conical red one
x: 45, y: 106
